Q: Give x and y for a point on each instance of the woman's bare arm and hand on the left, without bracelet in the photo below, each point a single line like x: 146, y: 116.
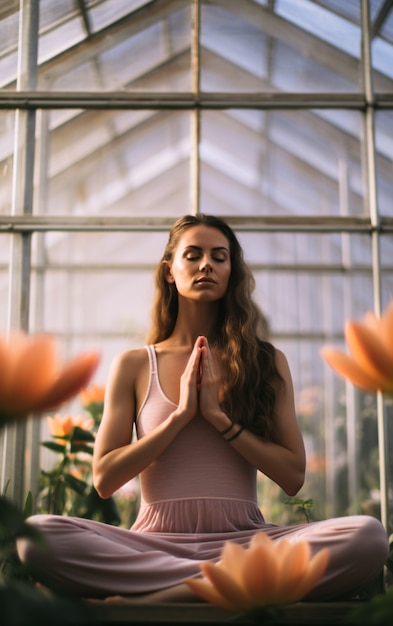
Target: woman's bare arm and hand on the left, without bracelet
x: 116, y: 460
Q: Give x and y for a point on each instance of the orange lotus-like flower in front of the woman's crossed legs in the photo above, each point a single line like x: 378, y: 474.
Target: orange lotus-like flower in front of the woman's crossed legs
x: 265, y: 574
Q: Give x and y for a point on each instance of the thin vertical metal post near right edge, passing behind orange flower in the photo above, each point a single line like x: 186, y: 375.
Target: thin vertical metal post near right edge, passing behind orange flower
x: 375, y: 237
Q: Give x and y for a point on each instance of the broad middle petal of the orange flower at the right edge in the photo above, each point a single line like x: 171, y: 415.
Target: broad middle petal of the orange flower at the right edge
x: 369, y: 352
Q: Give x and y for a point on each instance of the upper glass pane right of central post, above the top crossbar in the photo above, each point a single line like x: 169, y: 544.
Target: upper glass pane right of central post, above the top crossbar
x: 297, y: 47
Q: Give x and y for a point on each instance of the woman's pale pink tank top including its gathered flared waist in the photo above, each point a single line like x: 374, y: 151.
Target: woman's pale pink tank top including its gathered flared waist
x: 179, y: 487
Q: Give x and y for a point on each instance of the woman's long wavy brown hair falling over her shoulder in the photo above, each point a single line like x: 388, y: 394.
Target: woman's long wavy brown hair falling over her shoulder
x: 250, y: 375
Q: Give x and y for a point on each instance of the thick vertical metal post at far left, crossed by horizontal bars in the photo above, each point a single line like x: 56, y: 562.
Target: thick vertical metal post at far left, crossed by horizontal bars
x: 14, y: 439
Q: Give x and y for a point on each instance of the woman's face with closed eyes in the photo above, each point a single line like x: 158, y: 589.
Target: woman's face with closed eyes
x: 201, y: 265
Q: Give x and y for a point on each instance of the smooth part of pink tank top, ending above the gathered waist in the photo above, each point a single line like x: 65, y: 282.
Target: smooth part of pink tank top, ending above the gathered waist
x: 199, y: 463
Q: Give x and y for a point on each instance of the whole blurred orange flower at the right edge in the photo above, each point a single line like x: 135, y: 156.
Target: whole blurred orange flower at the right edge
x: 370, y: 366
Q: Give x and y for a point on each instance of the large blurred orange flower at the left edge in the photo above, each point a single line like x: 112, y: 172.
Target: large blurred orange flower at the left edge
x: 31, y: 379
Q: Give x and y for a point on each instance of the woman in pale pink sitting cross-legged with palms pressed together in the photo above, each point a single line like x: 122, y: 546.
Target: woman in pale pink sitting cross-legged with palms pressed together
x: 212, y: 403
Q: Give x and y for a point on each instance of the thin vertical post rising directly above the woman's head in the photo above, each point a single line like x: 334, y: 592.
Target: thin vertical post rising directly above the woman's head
x: 196, y: 113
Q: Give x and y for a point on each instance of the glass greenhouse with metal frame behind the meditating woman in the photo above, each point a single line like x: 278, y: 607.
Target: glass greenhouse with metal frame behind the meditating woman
x: 119, y: 116
